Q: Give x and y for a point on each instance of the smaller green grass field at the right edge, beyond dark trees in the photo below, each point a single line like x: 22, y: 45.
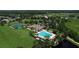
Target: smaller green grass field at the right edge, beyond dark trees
x: 74, y: 25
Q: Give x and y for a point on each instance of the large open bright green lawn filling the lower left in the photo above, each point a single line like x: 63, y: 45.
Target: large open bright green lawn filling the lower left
x: 12, y: 38
